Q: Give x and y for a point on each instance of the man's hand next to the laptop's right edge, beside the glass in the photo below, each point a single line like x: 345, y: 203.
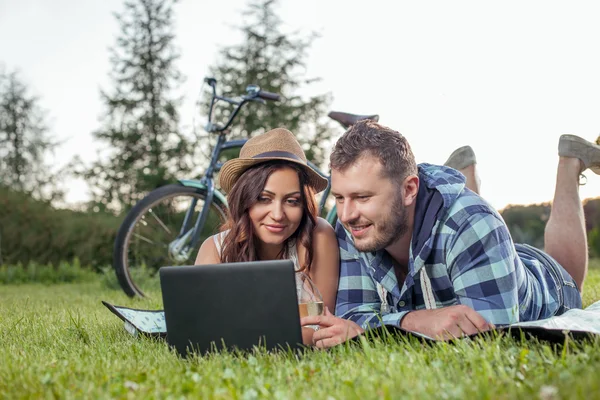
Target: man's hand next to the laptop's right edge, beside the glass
x: 333, y: 330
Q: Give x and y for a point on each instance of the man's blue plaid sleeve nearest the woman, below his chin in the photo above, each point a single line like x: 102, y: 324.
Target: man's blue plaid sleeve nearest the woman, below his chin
x: 357, y: 298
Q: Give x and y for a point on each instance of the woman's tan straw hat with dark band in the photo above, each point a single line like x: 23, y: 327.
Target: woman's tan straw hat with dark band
x: 277, y: 144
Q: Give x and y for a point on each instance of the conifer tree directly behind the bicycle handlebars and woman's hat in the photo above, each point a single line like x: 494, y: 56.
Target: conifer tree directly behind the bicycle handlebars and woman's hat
x: 276, y: 62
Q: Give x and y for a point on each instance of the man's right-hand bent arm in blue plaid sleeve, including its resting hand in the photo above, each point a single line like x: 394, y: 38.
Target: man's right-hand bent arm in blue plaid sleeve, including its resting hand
x: 481, y: 262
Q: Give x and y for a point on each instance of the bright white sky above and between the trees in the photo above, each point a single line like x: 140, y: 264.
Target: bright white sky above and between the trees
x: 507, y: 77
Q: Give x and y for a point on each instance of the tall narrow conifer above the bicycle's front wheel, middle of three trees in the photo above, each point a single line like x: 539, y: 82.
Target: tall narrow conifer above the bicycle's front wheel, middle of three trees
x: 146, y: 148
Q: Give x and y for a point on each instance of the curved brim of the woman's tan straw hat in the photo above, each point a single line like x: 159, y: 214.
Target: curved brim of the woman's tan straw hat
x: 233, y: 169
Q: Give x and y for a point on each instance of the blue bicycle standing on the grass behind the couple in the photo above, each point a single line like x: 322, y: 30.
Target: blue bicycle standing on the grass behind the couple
x: 158, y: 230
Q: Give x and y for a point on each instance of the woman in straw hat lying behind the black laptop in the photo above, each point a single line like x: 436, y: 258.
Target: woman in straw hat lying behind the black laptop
x: 273, y: 214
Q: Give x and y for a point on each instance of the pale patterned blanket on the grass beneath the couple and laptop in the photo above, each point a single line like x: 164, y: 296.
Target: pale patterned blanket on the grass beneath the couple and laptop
x: 576, y: 323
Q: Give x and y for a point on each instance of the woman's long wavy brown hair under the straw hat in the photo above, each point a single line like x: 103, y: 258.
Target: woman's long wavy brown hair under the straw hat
x: 240, y: 243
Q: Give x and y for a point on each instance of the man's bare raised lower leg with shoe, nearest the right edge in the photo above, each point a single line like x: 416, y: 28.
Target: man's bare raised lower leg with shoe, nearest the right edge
x: 565, y: 237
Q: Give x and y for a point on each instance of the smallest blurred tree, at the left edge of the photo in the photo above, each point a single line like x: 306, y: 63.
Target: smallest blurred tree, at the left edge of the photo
x: 24, y: 142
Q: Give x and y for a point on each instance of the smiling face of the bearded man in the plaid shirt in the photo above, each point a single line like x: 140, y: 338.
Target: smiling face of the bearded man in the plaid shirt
x: 369, y: 205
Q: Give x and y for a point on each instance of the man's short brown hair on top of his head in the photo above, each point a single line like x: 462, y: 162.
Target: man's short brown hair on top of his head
x: 368, y: 138
